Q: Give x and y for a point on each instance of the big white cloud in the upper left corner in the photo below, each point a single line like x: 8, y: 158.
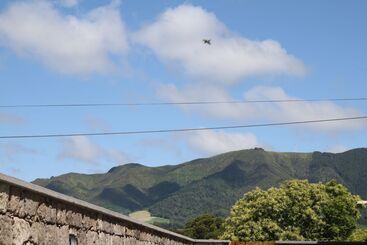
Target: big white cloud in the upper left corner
x: 69, y: 44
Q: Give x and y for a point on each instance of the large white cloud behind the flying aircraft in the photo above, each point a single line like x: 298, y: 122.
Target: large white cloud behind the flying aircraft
x: 176, y: 37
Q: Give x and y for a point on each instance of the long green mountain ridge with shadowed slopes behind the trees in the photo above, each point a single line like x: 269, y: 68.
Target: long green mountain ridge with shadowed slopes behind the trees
x: 212, y: 185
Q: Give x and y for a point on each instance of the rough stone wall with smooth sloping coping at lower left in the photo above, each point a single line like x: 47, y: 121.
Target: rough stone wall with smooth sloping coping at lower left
x: 30, y: 214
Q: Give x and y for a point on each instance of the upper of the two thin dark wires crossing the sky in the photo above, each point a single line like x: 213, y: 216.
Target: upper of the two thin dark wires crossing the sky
x: 179, y: 103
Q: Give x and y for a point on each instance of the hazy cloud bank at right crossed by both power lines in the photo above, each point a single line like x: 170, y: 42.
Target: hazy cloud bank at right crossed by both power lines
x: 278, y: 112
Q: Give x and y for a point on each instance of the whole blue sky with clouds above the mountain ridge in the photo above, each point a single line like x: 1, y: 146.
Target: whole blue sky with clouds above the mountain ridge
x: 79, y: 51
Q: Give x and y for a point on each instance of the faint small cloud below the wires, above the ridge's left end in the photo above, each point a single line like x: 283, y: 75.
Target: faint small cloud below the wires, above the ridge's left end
x: 80, y: 148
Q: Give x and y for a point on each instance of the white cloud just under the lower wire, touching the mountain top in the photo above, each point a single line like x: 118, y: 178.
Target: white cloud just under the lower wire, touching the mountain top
x: 215, y: 142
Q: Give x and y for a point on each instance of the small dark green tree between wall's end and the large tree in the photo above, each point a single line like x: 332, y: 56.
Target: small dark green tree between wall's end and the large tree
x: 206, y: 226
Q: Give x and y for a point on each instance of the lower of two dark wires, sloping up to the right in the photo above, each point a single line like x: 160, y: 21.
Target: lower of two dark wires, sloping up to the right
x: 181, y: 129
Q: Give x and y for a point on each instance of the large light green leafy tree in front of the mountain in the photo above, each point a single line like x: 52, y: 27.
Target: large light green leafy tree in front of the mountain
x: 297, y: 210
